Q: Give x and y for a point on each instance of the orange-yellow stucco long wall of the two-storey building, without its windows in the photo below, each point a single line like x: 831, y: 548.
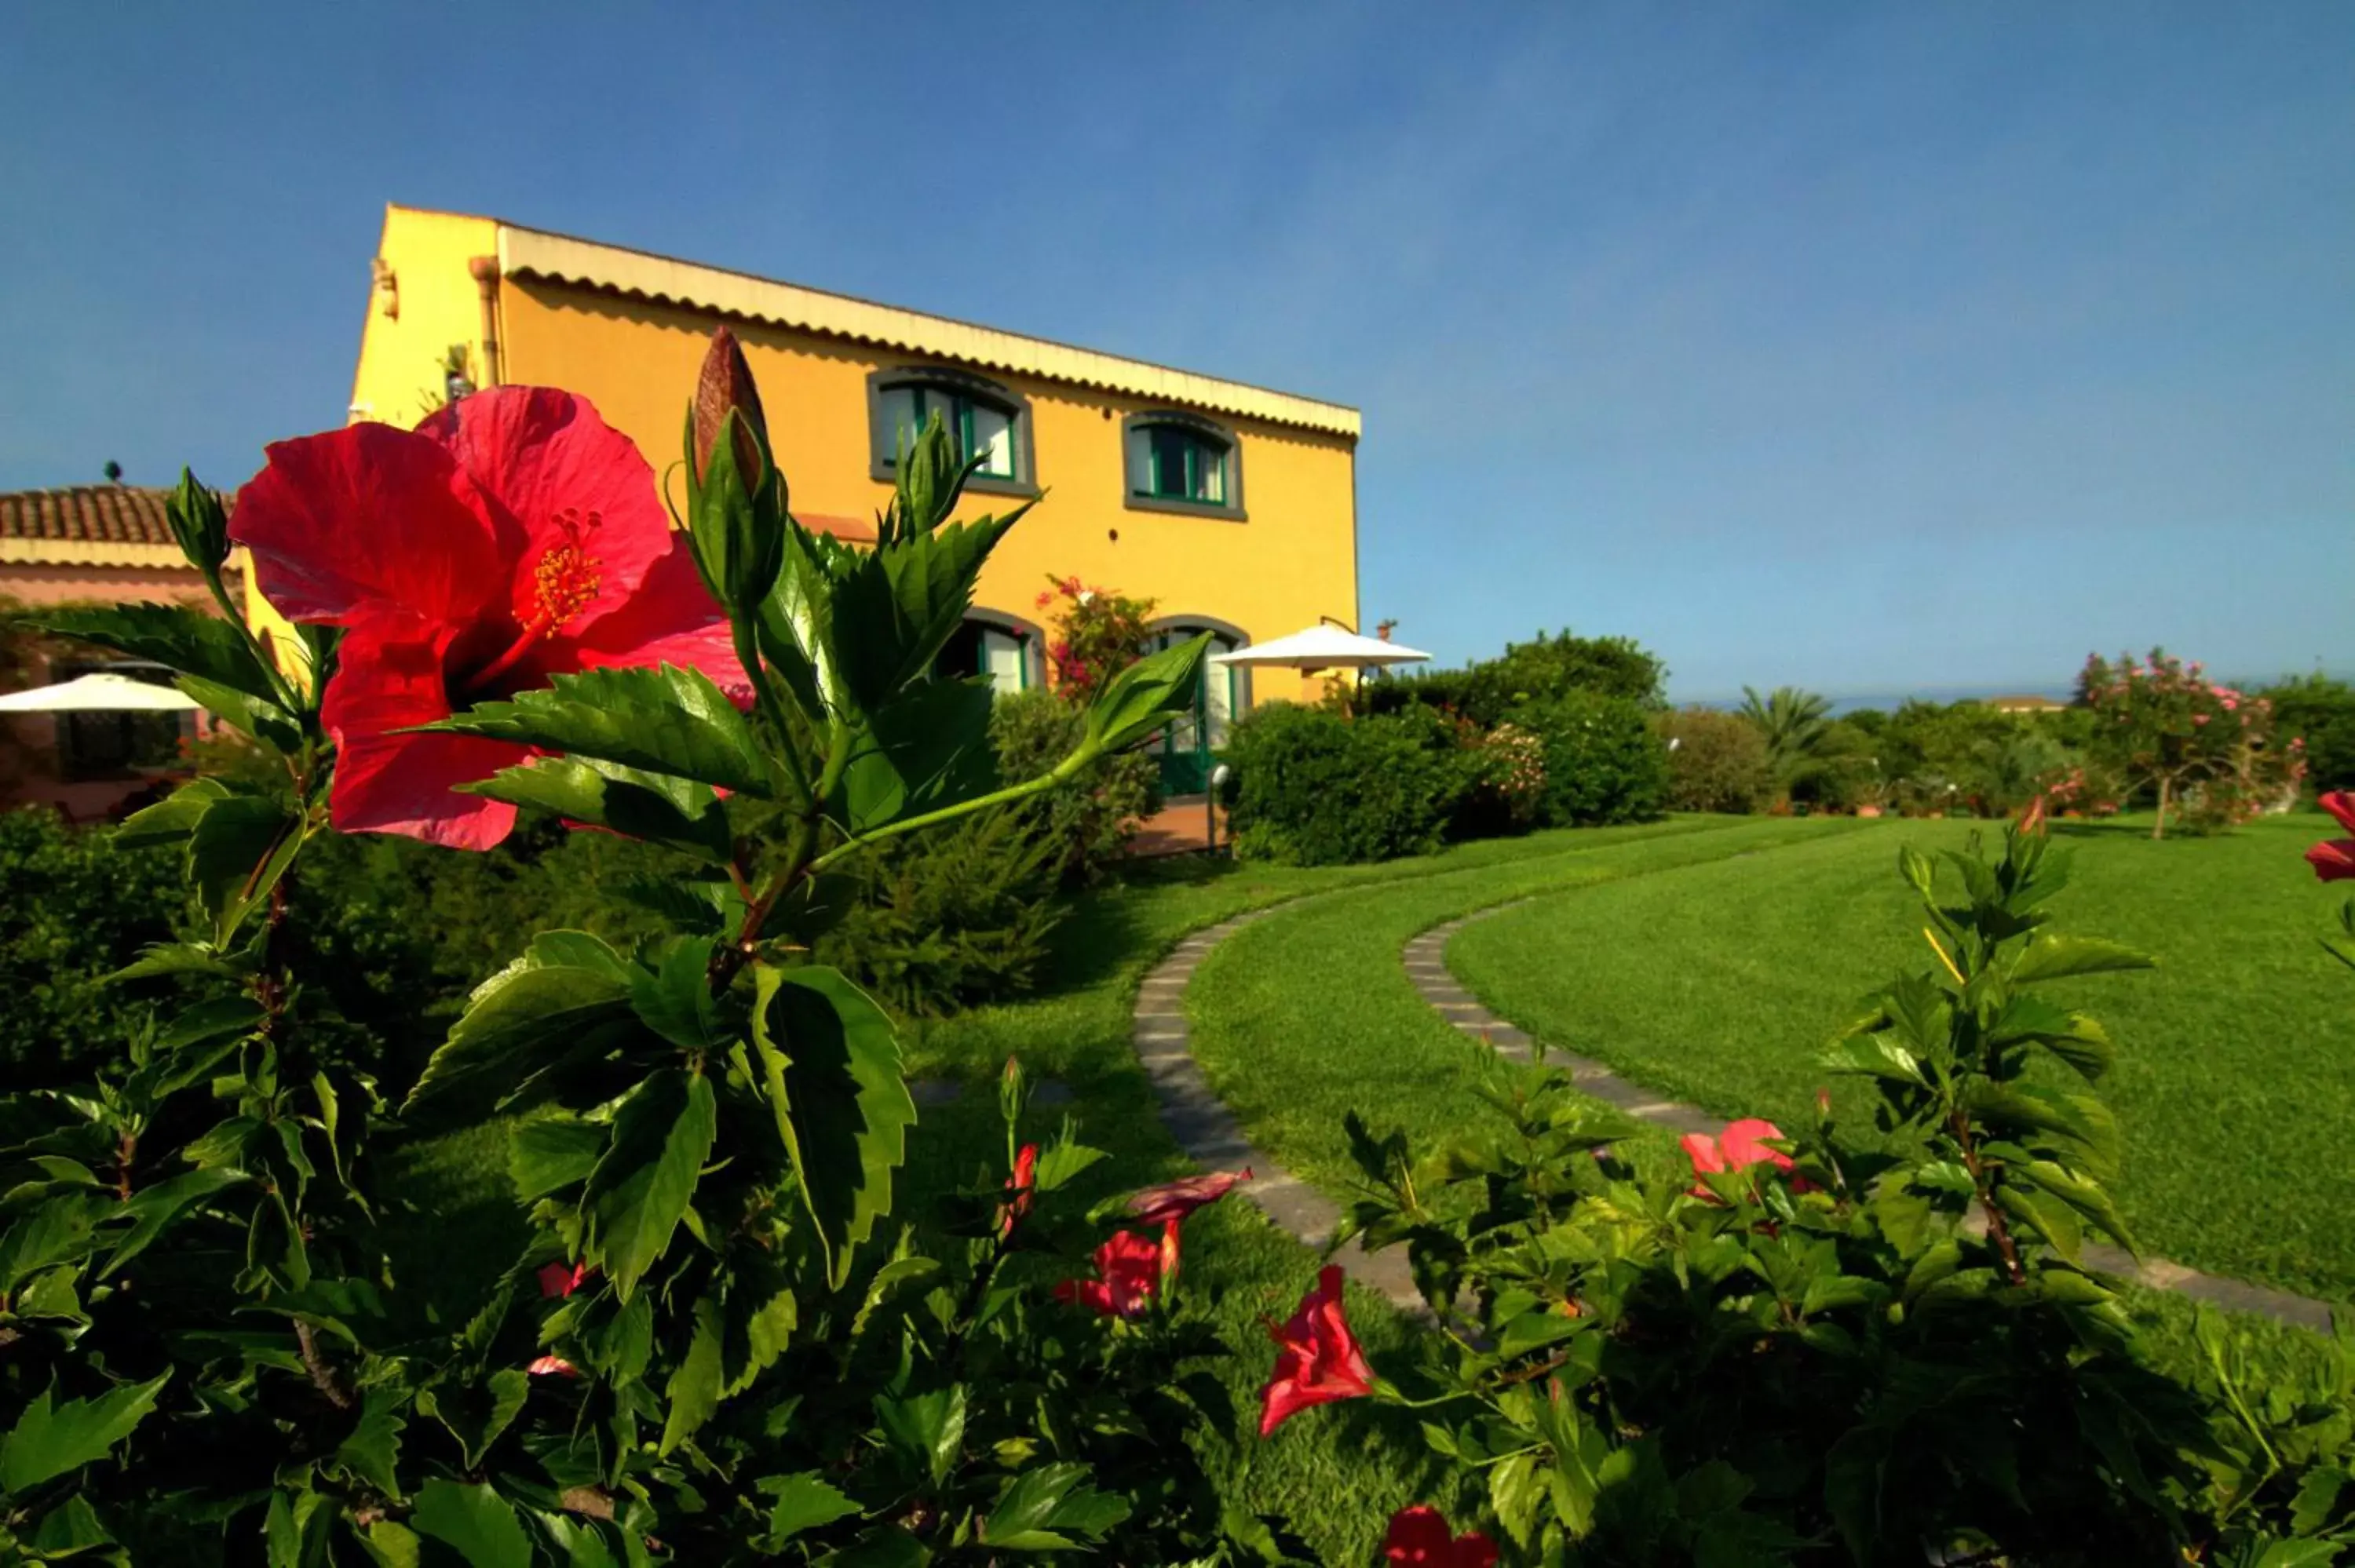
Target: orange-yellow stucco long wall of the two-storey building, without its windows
x: 1275, y: 573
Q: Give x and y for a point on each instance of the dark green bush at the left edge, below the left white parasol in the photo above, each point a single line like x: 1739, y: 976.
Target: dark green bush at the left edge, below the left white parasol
x: 77, y: 910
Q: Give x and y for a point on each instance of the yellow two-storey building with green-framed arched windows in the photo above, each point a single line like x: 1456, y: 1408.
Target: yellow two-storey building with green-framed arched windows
x: 1230, y: 507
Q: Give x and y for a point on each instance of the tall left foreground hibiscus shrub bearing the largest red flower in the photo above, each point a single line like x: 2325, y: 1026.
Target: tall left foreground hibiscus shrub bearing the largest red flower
x: 722, y: 1341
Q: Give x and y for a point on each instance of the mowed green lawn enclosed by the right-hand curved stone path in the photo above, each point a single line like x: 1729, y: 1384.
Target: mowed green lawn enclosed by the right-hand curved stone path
x: 2236, y: 1082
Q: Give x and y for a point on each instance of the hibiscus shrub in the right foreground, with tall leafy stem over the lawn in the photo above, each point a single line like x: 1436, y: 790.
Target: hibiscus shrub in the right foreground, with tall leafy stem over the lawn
x: 1836, y: 1350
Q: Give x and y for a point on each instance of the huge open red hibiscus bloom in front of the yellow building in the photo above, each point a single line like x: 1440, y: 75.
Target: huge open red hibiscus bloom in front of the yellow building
x: 510, y: 538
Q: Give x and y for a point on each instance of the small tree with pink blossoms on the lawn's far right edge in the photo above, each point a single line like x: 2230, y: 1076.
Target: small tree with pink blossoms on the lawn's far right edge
x: 2189, y: 740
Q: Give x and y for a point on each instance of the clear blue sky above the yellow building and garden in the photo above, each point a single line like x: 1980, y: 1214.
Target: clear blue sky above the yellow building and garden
x: 1855, y: 347
